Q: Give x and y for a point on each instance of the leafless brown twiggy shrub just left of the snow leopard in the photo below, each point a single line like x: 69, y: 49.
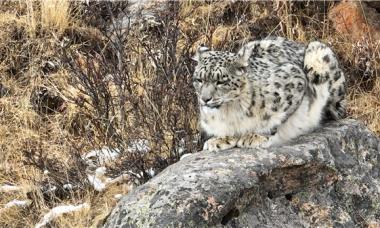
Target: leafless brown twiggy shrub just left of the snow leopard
x: 138, y: 88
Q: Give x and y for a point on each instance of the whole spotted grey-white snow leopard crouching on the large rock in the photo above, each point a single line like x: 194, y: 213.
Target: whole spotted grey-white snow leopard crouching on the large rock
x: 268, y: 93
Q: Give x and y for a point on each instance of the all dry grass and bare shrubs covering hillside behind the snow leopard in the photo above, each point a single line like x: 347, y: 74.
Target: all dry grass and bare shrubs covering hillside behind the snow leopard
x: 69, y: 85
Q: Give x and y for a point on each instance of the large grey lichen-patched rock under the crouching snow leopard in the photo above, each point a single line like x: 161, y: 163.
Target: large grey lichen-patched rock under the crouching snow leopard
x: 327, y: 178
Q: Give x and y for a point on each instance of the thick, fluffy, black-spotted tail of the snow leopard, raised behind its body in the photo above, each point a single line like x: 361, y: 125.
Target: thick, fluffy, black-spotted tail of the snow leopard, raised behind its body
x: 321, y: 66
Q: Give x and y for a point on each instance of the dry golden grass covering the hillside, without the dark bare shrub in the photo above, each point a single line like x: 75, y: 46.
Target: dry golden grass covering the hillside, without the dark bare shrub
x: 31, y: 35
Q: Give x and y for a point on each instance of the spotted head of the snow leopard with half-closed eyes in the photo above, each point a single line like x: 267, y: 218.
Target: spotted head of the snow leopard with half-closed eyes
x: 219, y: 77
